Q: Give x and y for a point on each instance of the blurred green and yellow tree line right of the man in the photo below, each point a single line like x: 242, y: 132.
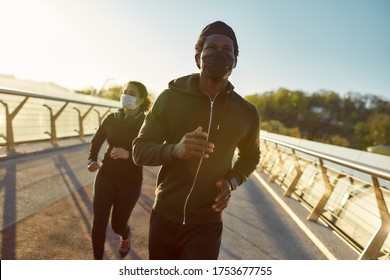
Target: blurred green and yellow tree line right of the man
x: 354, y: 120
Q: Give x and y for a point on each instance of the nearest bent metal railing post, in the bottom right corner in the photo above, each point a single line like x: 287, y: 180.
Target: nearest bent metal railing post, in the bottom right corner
x: 372, y: 250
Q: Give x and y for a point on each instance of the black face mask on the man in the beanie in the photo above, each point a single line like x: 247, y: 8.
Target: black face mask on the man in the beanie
x: 218, y: 66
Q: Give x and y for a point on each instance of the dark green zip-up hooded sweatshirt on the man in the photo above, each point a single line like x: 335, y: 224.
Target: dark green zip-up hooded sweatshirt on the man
x: 186, y: 189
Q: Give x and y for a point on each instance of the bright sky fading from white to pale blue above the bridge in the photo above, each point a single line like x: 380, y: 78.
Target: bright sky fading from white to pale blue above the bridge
x: 339, y: 45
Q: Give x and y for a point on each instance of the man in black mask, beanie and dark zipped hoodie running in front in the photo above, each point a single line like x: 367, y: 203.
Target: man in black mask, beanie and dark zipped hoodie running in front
x: 192, y: 131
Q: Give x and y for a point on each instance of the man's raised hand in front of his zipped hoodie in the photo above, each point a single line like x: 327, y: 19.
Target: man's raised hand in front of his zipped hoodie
x: 193, y: 144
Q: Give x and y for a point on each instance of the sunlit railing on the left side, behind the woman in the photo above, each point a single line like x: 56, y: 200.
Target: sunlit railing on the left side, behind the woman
x: 29, y: 117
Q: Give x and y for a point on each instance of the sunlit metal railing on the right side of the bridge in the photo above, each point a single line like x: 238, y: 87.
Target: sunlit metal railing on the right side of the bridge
x: 354, y: 202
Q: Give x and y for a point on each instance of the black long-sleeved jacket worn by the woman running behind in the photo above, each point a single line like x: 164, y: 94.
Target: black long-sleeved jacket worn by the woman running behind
x: 119, y: 131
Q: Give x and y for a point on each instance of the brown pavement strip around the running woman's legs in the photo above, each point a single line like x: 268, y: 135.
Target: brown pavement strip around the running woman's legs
x: 62, y: 230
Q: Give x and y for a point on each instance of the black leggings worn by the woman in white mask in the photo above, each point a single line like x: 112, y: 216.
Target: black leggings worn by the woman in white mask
x: 121, y: 196
